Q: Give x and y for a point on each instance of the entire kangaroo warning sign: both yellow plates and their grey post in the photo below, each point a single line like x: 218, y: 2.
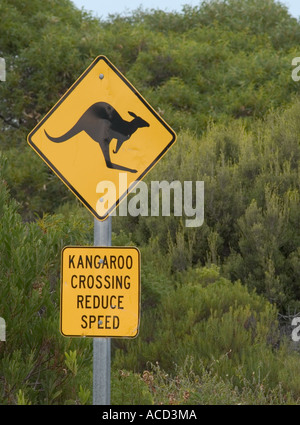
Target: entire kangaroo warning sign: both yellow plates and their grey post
x: 99, y: 113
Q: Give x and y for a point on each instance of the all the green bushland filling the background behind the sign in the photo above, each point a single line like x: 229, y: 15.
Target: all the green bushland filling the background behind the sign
x: 220, y: 74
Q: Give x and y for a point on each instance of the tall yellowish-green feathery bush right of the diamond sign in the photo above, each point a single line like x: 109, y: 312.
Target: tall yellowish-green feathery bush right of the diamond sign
x: 251, y: 178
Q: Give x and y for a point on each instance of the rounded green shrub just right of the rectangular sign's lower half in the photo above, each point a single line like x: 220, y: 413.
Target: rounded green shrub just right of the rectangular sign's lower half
x: 231, y: 332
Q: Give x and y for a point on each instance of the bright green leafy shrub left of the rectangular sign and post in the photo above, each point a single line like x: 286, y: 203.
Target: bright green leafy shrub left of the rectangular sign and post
x: 32, y: 364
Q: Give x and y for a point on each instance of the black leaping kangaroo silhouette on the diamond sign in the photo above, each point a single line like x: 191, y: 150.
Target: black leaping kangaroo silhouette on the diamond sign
x: 103, y: 123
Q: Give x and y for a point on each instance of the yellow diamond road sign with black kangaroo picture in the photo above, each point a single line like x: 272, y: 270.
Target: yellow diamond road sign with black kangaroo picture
x: 101, y: 127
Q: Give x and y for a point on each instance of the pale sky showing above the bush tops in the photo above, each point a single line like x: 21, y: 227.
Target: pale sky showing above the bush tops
x: 102, y: 8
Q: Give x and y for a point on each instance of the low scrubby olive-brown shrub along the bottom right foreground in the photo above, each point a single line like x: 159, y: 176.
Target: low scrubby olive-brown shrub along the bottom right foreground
x: 182, y: 386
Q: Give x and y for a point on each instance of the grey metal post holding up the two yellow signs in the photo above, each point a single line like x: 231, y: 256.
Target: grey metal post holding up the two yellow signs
x: 101, y: 346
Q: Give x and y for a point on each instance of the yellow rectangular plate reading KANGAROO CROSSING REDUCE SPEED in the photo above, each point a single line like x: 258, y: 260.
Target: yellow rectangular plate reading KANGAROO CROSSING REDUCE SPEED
x: 100, y: 291
